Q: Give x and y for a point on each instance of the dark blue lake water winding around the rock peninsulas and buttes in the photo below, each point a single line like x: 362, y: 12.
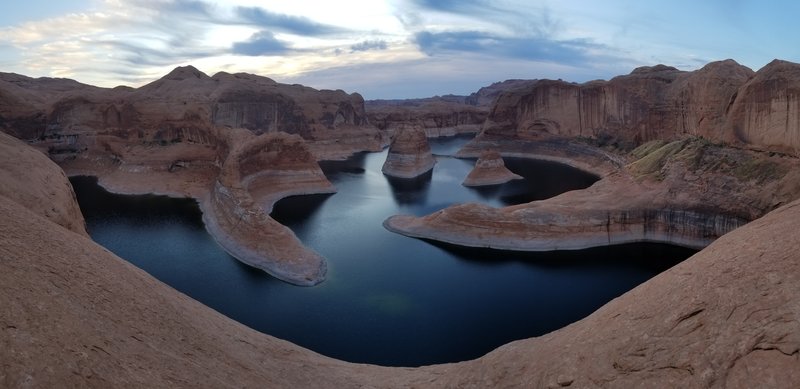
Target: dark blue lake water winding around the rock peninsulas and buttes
x: 388, y: 299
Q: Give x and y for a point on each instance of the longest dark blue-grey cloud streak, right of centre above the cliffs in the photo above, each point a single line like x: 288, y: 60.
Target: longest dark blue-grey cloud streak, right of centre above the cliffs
x: 530, y: 48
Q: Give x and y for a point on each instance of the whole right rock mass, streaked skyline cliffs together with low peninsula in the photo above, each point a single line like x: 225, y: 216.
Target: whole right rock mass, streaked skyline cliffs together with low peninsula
x: 685, y: 186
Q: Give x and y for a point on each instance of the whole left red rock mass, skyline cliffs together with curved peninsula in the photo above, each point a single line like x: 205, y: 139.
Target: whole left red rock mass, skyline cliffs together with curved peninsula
x: 188, y: 134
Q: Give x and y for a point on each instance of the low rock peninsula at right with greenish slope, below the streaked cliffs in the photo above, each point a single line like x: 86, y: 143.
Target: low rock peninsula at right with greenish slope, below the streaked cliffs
x: 688, y: 192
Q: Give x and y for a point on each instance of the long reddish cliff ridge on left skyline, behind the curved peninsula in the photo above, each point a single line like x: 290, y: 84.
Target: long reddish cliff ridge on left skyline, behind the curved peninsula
x: 70, y: 116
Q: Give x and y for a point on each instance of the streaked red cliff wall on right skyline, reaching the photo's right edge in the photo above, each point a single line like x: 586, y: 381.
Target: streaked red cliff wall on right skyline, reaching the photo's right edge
x: 723, y: 101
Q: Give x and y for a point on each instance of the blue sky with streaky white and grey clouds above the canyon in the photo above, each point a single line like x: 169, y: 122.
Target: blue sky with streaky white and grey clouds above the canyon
x: 387, y: 48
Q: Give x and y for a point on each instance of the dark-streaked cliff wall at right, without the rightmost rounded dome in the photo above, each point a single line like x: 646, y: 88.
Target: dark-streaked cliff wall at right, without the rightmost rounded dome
x: 657, y: 102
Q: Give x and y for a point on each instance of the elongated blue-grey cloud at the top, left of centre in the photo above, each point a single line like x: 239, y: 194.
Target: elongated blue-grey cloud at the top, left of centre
x: 292, y: 24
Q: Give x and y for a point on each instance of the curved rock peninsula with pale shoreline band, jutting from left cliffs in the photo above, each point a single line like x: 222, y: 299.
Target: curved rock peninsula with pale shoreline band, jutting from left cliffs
x: 237, y: 211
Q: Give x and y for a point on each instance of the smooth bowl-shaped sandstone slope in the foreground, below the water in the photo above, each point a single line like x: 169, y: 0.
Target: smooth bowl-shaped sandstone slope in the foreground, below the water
x: 74, y: 315
